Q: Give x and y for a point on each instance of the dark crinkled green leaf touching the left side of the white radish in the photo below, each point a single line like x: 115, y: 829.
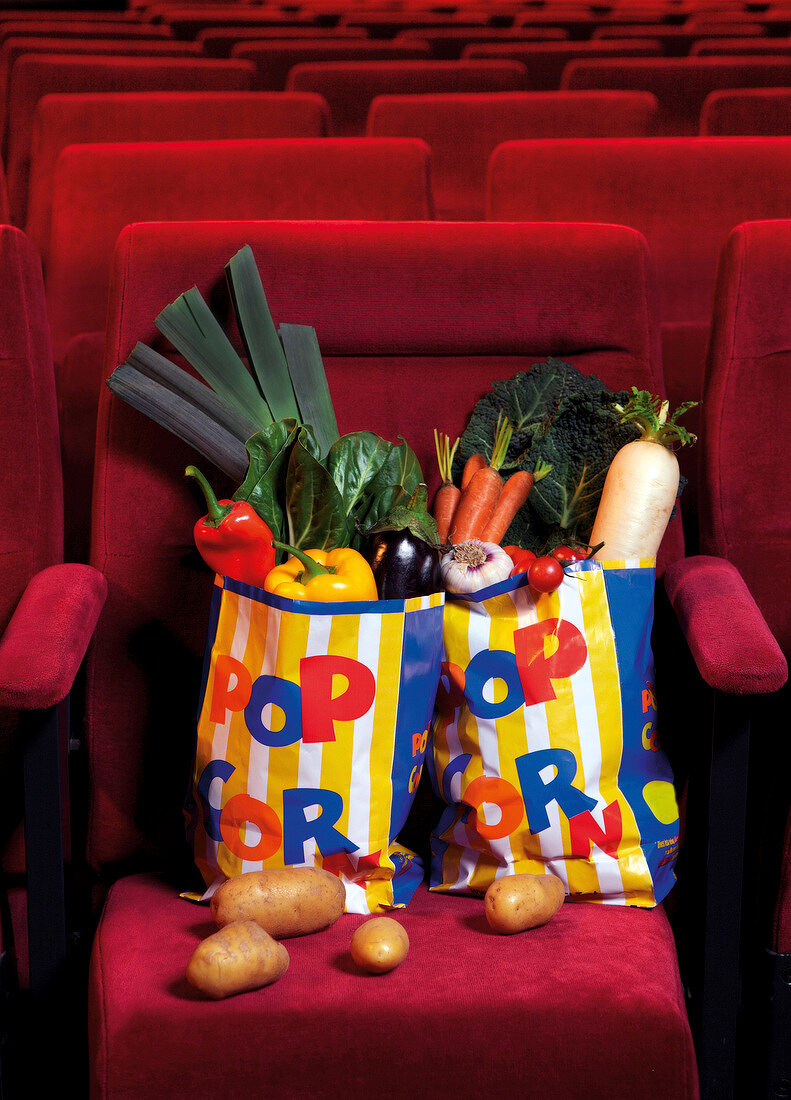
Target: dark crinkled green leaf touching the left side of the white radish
x: 580, y: 446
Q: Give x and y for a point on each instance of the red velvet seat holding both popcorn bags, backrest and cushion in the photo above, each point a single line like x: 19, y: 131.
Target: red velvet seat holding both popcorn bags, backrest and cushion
x: 592, y: 1004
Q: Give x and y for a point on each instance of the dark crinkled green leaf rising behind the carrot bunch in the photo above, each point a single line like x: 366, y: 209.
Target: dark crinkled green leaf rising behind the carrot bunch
x: 532, y: 401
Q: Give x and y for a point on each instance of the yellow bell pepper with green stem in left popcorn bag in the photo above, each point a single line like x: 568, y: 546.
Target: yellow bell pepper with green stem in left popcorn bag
x: 324, y: 576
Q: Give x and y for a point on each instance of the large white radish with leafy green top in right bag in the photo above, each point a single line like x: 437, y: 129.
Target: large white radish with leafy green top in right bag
x: 642, y: 483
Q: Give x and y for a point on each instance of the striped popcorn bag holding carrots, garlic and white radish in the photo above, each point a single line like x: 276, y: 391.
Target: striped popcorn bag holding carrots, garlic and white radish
x: 546, y: 749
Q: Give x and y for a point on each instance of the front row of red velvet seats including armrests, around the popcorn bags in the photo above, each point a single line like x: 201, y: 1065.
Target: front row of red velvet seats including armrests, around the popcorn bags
x: 602, y: 982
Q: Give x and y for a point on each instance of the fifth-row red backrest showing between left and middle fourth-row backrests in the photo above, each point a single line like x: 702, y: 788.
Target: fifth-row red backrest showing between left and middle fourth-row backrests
x: 273, y: 60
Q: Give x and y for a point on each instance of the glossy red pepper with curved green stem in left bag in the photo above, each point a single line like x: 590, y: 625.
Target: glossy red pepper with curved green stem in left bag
x: 233, y: 538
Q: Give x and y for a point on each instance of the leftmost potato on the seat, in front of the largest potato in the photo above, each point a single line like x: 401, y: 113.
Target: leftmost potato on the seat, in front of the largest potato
x: 237, y: 959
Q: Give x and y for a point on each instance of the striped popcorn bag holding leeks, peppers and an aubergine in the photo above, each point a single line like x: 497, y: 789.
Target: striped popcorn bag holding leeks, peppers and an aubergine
x: 313, y: 728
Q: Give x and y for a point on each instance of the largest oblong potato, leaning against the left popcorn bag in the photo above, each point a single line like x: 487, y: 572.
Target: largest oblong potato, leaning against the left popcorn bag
x: 289, y: 901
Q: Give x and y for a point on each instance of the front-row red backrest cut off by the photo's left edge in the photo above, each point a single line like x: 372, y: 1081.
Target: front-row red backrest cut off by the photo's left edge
x: 32, y: 497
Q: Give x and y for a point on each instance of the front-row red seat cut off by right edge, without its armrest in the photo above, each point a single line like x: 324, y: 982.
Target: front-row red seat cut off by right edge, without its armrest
x: 745, y: 512
